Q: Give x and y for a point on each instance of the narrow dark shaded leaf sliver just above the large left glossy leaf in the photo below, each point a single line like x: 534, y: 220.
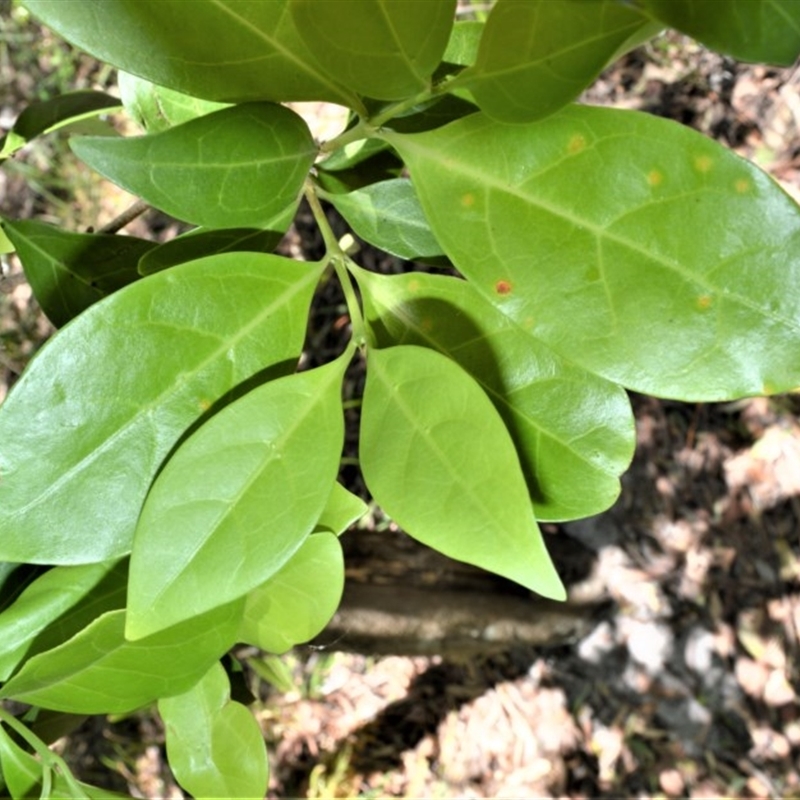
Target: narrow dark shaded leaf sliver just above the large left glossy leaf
x: 202, y: 242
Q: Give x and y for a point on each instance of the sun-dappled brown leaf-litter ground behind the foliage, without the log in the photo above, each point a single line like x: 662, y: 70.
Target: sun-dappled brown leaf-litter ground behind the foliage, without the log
x: 685, y: 685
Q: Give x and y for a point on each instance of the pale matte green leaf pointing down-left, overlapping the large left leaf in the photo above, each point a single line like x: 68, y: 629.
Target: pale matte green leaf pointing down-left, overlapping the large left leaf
x: 237, y: 499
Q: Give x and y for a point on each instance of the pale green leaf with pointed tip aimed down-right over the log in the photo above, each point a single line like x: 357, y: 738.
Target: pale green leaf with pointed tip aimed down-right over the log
x: 438, y: 459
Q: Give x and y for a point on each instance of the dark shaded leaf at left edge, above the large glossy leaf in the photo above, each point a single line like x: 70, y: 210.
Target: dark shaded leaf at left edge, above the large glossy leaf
x: 67, y: 271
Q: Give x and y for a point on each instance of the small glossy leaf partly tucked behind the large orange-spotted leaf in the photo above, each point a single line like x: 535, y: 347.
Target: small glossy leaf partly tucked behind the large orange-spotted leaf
x: 389, y: 216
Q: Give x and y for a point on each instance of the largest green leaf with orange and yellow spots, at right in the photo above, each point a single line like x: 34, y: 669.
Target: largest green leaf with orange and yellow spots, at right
x: 631, y: 245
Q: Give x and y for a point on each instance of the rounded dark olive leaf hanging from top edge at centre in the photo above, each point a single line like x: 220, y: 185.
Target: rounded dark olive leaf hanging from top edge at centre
x: 386, y: 49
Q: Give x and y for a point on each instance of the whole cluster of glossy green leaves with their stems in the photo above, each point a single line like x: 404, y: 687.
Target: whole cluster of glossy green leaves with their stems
x: 168, y: 470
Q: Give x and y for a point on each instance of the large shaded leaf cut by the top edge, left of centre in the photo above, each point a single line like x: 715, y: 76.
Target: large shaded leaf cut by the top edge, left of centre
x: 228, y: 50
